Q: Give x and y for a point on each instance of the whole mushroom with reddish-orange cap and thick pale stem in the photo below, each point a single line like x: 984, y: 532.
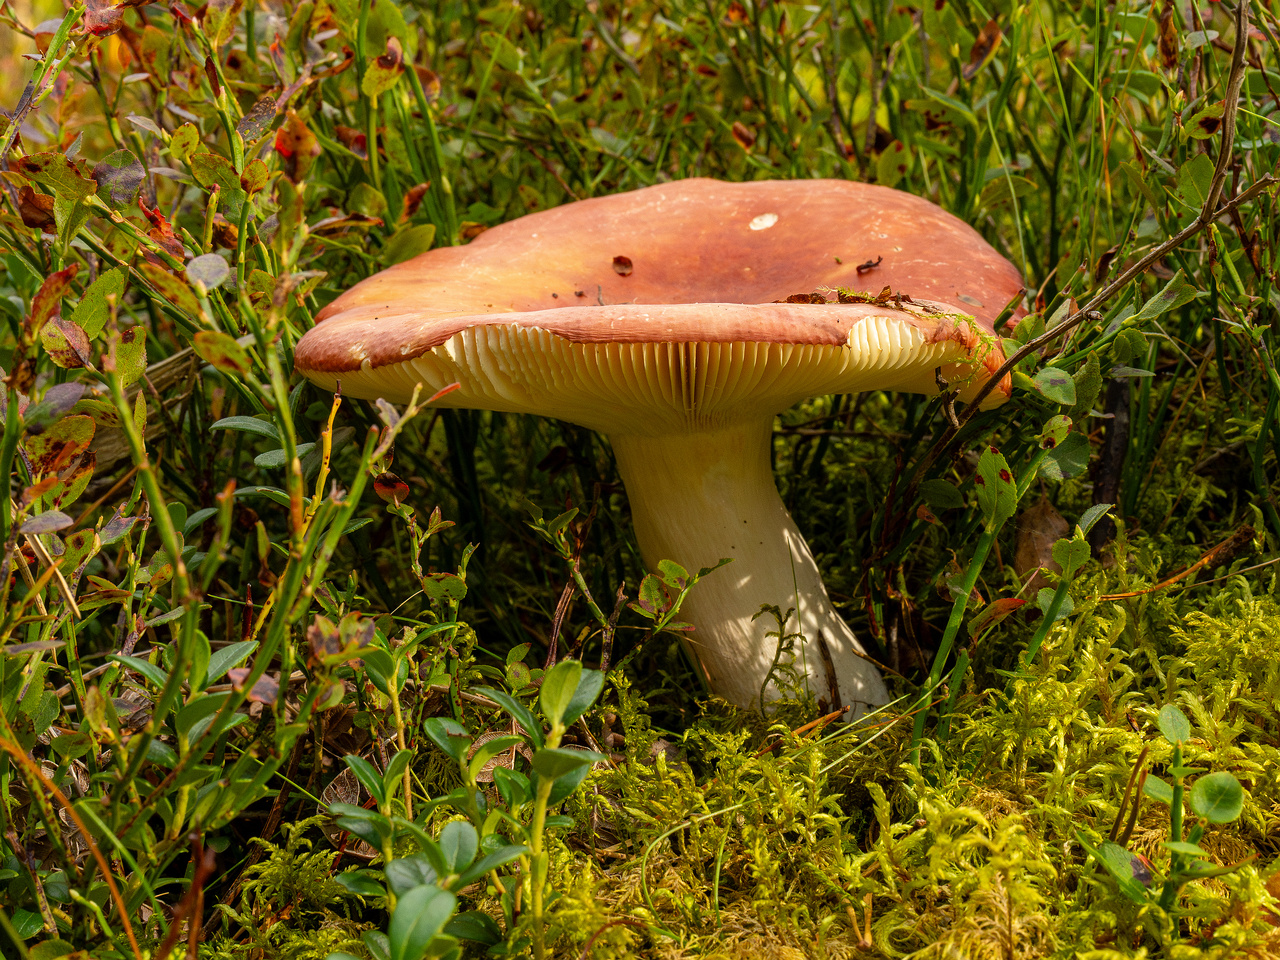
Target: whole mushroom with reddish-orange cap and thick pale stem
x: 655, y: 318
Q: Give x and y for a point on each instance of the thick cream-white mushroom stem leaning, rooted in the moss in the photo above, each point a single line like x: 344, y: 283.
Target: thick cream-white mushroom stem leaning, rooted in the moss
x: 700, y: 497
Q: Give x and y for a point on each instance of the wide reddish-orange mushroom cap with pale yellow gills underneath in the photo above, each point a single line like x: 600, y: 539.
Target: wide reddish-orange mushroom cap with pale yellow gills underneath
x: 669, y: 296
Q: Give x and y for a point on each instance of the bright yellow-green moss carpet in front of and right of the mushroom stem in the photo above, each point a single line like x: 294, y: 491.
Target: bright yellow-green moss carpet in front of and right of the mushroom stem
x: 738, y: 851
